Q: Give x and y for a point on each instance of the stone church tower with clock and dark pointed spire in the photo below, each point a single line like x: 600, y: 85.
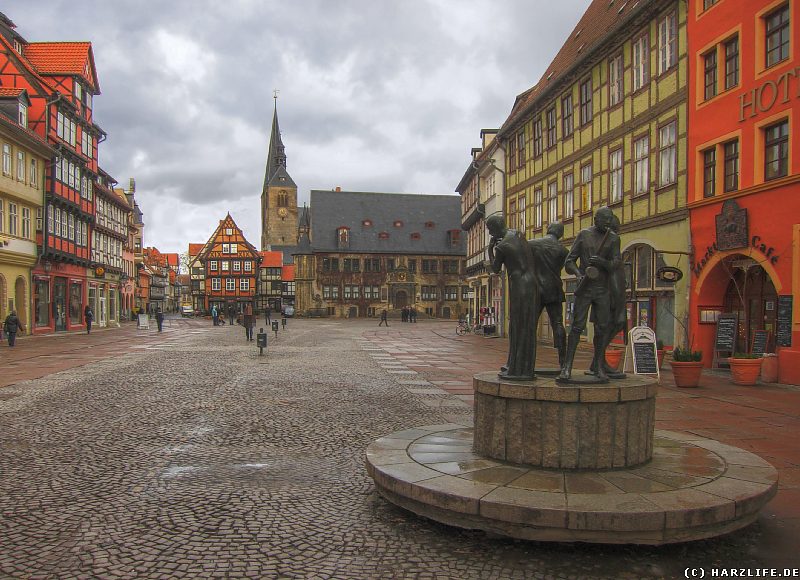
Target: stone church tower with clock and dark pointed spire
x: 278, y: 196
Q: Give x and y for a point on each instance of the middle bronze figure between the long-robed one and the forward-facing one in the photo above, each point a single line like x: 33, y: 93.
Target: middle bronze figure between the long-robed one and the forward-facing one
x: 548, y: 259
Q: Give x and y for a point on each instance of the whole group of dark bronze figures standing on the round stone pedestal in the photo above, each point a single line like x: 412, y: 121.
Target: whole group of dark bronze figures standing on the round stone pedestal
x: 534, y: 277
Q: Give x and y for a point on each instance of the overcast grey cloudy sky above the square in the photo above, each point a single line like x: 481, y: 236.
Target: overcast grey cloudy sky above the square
x: 375, y: 95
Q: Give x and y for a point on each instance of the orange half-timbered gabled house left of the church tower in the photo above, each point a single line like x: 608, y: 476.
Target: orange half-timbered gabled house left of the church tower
x: 231, y: 265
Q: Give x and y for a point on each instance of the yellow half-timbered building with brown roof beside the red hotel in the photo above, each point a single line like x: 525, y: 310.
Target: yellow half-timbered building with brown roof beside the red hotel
x: 606, y: 126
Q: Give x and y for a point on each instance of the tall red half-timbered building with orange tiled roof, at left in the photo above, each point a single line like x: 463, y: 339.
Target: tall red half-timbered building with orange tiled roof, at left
x: 61, y: 81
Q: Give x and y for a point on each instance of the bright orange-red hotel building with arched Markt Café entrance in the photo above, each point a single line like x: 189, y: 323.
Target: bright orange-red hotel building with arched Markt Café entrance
x: 744, y: 176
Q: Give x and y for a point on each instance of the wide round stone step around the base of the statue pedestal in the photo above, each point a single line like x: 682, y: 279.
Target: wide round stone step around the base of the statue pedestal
x: 693, y: 488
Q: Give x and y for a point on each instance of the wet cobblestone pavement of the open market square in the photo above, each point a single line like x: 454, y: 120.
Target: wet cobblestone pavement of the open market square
x: 193, y: 457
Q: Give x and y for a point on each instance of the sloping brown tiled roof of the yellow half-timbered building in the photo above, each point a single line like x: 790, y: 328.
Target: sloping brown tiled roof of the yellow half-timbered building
x: 602, y: 20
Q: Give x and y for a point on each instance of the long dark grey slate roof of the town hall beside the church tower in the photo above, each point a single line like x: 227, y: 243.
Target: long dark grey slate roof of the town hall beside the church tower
x: 332, y: 210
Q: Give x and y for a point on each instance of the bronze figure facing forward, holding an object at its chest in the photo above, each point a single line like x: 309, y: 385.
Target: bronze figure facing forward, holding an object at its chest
x: 594, y: 256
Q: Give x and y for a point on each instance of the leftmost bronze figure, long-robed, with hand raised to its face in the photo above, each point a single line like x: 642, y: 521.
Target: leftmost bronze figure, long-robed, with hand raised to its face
x: 509, y: 248
